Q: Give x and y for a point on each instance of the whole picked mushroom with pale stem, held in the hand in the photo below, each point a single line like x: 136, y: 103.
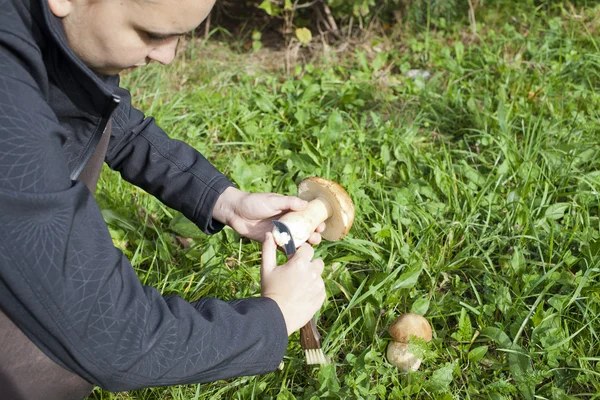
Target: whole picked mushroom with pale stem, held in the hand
x: 327, y: 202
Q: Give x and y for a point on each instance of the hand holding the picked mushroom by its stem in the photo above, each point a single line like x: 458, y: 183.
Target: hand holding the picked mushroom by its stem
x: 250, y: 214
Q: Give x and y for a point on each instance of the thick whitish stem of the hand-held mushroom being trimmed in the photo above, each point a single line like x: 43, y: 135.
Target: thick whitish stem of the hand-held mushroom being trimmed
x: 303, y: 223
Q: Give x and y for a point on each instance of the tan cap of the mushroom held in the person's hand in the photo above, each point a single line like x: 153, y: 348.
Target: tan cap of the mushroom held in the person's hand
x: 338, y: 225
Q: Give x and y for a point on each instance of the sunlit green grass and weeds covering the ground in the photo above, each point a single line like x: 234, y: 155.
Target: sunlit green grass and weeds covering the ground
x: 477, y: 199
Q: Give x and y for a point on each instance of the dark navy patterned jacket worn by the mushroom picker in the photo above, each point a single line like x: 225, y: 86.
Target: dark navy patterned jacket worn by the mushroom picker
x: 61, y: 279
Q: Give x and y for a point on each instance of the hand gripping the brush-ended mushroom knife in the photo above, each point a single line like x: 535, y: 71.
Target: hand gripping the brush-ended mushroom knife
x: 297, y: 286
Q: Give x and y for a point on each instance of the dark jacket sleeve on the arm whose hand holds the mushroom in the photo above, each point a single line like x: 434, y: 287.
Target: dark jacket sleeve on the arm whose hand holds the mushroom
x: 169, y: 169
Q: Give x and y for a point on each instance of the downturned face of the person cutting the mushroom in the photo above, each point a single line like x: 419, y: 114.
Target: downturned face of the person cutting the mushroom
x: 113, y: 35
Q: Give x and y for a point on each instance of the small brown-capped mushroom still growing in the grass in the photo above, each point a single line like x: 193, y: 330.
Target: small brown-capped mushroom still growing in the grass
x: 401, y: 330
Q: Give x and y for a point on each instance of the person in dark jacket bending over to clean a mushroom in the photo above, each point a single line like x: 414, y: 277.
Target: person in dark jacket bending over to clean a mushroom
x: 73, y: 312
